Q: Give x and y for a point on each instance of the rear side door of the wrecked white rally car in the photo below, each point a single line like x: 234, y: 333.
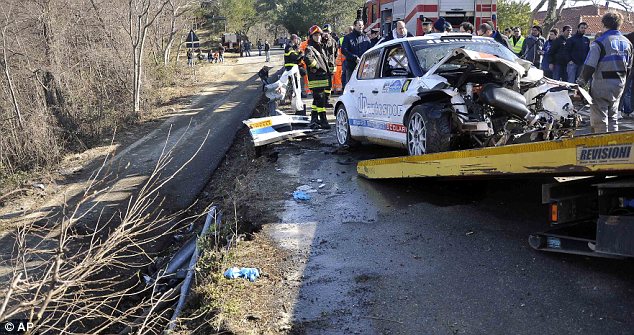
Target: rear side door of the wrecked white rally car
x: 360, y: 88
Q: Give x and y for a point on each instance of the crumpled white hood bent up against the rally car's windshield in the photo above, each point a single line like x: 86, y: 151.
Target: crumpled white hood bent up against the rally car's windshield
x: 482, y: 60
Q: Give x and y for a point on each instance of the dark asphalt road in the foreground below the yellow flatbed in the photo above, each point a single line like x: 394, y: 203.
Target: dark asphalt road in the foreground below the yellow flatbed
x: 433, y: 257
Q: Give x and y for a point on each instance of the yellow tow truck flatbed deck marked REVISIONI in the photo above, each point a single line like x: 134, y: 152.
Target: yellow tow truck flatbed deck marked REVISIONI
x: 609, y: 153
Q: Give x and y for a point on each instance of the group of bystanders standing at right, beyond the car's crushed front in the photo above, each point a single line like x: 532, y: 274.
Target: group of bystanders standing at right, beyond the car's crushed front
x: 604, y: 64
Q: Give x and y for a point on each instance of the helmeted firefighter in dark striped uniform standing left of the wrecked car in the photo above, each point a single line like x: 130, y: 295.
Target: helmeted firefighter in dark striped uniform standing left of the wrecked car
x: 318, y: 77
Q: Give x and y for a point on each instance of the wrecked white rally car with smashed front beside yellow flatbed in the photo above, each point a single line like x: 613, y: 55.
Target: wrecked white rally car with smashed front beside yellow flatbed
x: 444, y: 92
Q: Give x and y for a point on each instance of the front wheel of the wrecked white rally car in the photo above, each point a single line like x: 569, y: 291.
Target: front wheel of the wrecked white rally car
x: 428, y: 130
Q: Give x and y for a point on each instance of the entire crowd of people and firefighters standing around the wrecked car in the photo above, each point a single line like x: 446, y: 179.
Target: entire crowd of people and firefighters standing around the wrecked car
x: 605, y: 63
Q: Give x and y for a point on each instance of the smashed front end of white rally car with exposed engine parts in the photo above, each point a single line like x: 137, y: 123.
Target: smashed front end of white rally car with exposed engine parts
x: 497, y: 101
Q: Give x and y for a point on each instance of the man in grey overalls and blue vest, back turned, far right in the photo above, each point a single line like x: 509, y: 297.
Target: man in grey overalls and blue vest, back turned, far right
x: 608, y: 63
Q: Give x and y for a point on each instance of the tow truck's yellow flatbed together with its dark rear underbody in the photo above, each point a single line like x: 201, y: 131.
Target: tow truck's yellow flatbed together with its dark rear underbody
x: 591, y: 215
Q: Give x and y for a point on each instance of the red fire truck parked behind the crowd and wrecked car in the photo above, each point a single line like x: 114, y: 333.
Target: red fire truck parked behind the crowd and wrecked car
x: 382, y: 13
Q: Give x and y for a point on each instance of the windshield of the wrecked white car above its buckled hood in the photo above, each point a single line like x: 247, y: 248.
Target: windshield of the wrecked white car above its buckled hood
x: 429, y: 52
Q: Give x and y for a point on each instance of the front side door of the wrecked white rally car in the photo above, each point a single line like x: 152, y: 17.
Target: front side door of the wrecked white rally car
x: 388, y: 92
